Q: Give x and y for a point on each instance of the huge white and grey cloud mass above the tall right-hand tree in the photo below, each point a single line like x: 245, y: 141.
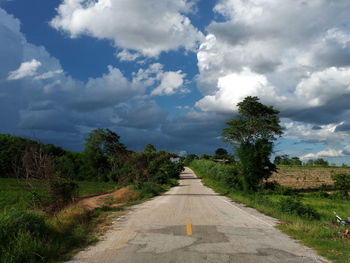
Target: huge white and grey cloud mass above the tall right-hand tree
x: 298, y: 65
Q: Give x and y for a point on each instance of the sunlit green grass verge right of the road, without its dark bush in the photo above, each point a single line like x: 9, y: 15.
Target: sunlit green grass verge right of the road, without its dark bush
x: 322, y: 234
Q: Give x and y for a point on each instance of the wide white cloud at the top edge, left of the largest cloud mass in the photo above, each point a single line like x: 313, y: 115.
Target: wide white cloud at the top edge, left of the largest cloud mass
x: 148, y: 27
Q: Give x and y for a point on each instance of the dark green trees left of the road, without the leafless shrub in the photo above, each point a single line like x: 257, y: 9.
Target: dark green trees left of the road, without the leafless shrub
x: 104, y: 158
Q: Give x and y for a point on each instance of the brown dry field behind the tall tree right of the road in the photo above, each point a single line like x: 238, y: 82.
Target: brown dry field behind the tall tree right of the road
x: 306, y: 177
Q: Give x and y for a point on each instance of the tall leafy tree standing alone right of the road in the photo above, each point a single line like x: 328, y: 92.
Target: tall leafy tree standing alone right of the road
x: 252, y: 132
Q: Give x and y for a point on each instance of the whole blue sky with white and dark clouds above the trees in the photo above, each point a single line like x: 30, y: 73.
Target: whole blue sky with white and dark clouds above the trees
x: 171, y: 73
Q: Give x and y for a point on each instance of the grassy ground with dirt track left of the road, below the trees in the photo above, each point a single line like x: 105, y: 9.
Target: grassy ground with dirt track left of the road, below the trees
x: 29, y: 235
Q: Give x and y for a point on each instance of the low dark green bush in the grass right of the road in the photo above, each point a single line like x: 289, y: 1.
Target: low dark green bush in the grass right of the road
x: 294, y: 206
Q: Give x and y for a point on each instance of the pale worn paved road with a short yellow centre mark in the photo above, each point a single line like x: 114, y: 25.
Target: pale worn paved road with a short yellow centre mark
x: 191, y: 223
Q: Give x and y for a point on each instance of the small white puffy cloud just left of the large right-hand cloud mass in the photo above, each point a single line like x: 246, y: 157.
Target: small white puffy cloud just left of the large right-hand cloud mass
x: 170, y: 83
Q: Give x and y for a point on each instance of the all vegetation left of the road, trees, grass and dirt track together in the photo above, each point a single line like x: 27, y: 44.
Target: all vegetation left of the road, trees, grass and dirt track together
x: 43, y: 214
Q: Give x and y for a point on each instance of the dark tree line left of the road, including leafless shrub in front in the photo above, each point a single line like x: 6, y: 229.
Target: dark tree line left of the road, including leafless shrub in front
x: 103, y: 159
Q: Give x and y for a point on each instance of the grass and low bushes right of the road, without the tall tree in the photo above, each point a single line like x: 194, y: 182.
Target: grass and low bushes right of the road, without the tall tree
x: 306, y: 216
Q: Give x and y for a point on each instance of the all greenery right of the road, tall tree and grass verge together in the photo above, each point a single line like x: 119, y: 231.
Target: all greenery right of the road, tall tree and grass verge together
x: 249, y: 177
